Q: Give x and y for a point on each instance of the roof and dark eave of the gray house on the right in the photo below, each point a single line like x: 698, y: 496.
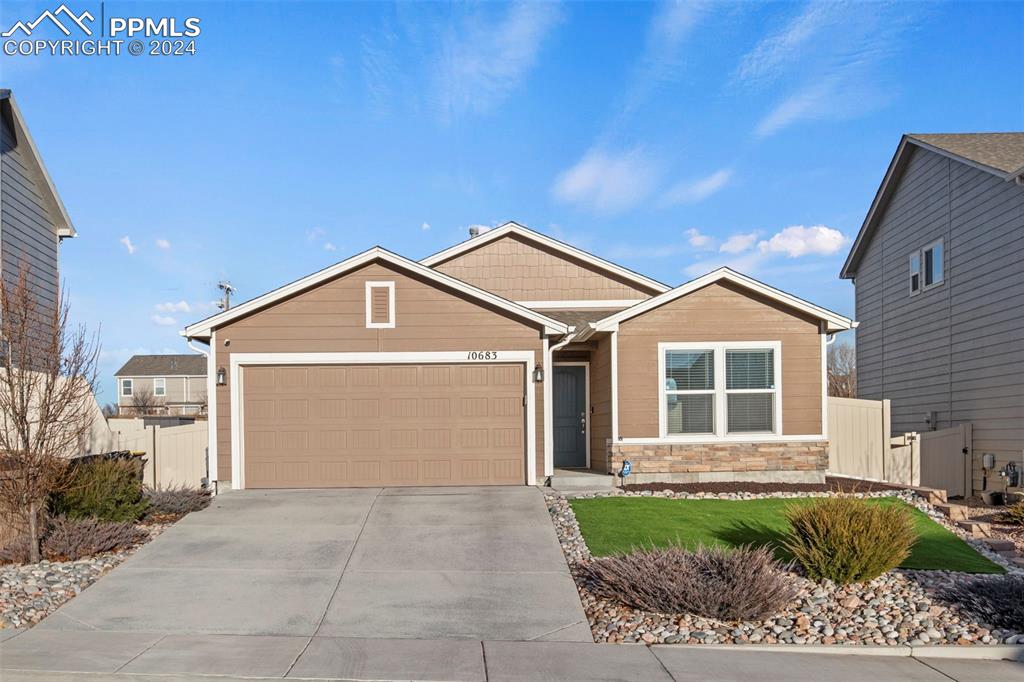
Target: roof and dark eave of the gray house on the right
x: 999, y: 154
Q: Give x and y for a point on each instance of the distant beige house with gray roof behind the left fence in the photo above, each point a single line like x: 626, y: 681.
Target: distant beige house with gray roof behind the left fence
x: 162, y: 386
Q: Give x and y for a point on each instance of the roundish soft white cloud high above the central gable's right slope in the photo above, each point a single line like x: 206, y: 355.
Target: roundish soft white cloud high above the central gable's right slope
x: 608, y: 183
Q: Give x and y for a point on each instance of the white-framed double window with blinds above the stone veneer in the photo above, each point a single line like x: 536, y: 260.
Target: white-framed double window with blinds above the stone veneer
x: 717, y: 391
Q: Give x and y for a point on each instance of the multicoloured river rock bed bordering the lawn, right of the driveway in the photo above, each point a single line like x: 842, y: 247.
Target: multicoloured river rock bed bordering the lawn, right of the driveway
x: 897, y: 609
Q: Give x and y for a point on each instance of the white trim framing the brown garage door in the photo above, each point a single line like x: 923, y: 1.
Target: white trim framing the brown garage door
x: 240, y: 361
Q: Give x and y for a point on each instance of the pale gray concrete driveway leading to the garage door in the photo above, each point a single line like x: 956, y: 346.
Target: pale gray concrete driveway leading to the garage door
x: 420, y: 564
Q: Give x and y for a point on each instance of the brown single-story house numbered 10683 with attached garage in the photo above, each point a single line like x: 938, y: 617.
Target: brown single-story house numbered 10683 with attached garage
x: 506, y: 357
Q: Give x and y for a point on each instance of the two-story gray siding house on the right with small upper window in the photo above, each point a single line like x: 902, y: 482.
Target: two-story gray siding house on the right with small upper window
x: 938, y: 268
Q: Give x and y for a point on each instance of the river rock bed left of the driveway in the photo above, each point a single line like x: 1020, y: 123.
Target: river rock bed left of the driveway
x: 31, y: 592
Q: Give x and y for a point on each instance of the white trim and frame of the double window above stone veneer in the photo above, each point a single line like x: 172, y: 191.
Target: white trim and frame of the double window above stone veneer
x: 721, y: 416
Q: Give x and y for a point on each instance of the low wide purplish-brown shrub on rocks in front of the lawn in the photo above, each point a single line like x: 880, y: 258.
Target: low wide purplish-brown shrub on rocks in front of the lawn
x: 741, y: 584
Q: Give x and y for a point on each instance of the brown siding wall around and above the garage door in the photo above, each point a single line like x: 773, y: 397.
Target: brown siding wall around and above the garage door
x: 331, y: 318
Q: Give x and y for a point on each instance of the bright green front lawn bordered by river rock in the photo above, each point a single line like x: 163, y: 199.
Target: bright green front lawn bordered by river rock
x: 616, y: 526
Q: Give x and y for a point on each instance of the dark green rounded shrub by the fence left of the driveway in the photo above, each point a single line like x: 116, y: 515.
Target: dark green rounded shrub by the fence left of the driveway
x: 108, y: 489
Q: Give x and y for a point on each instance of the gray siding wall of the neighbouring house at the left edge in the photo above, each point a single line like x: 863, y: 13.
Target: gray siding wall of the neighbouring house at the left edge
x: 27, y: 231
